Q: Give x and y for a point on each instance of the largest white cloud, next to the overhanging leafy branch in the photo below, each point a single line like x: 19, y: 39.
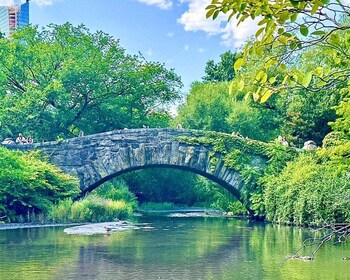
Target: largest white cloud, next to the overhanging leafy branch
x: 232, y: 35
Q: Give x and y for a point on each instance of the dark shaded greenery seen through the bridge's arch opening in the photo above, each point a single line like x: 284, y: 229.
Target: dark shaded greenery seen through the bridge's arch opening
x: 158, y: 185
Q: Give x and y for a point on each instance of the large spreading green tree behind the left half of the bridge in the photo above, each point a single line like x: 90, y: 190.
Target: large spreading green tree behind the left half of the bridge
x: 61, y: 79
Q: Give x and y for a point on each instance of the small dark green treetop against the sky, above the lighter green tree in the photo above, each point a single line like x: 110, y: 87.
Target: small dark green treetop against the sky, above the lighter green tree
x: 223, y: 70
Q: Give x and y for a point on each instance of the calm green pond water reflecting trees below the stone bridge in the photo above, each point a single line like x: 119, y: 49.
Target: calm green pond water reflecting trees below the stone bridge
x: 175, y: 248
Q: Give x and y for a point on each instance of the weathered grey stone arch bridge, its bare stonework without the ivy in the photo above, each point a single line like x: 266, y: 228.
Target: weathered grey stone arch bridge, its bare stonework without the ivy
x: 97, y: 158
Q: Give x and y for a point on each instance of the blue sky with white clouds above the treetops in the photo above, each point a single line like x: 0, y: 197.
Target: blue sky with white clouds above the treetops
x: 174, y: 32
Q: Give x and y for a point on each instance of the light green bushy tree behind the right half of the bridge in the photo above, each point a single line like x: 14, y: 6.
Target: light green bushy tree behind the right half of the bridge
x: 209, y: 107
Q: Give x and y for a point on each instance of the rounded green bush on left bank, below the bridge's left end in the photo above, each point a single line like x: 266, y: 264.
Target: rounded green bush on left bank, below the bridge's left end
x: 29, y: 184
